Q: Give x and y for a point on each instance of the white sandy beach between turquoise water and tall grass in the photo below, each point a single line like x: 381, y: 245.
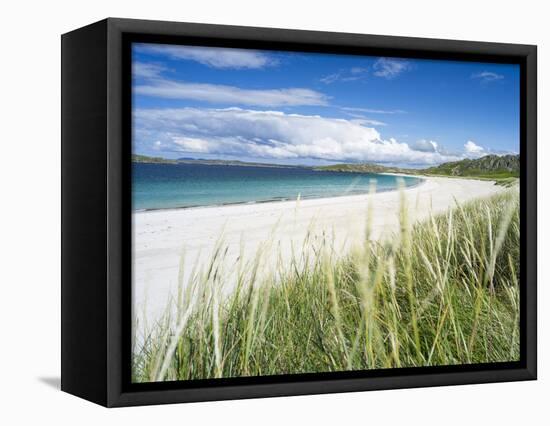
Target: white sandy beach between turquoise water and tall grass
x: 160, y: 237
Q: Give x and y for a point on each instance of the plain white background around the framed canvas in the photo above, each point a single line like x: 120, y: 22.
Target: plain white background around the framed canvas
x: 30, y: 210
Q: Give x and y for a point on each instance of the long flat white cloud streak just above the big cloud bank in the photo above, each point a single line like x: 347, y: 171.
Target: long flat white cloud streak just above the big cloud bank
x: 215, y: 93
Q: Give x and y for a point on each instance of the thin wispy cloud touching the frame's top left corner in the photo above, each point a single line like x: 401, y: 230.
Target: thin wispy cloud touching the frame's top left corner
x: 216, y: 57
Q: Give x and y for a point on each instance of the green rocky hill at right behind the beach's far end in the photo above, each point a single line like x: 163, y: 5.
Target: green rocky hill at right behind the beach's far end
x: 490, y: 166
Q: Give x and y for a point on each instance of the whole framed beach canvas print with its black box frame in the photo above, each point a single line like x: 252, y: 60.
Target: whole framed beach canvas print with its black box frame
x: 252, y: 212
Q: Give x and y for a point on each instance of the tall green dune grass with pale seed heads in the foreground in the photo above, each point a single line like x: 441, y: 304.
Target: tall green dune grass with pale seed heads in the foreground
x: 442, y: 292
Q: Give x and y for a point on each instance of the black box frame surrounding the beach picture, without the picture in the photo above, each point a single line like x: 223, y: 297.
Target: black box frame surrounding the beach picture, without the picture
x: 96, y: 225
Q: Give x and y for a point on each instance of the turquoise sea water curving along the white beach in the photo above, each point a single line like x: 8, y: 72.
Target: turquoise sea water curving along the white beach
x: 161, y: 186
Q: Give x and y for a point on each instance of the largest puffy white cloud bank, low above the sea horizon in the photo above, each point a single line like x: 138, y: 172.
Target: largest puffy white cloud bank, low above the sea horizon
x: 273, y: 135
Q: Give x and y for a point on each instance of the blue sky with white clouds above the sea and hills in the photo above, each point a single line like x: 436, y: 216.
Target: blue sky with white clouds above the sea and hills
x: 305, y: 108
